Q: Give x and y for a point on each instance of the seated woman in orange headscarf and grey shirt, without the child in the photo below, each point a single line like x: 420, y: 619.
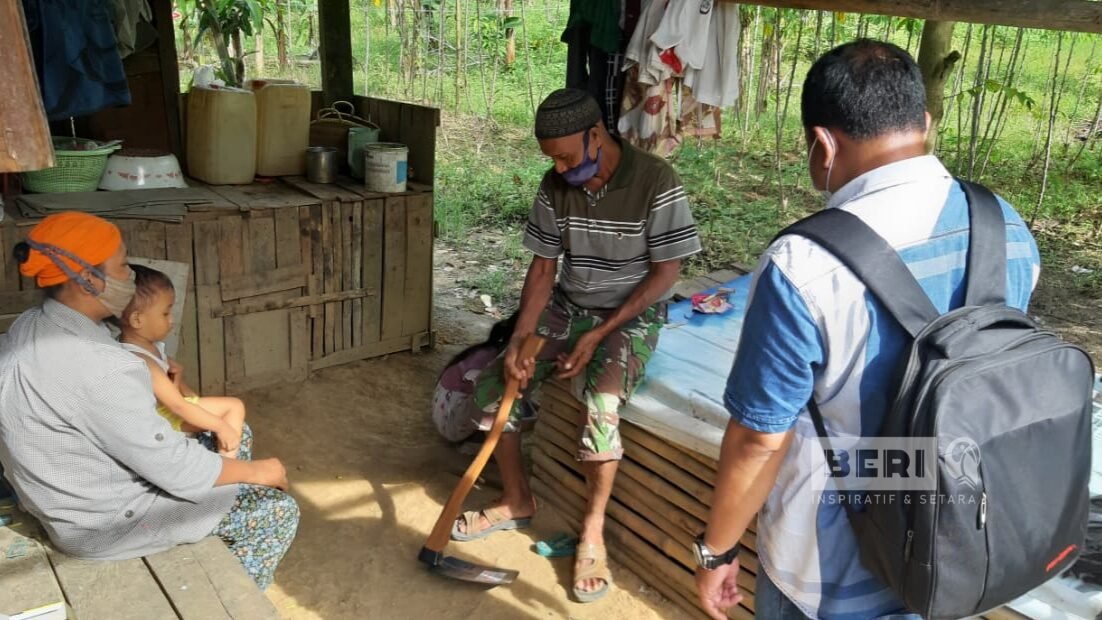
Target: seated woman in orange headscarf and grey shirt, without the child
x: 81, y: 440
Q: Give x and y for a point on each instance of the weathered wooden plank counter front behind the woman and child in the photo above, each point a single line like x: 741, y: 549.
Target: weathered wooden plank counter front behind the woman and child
x: 287, y: 278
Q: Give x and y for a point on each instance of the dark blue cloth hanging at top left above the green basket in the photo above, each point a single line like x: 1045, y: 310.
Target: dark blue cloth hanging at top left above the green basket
x: 77, y: 57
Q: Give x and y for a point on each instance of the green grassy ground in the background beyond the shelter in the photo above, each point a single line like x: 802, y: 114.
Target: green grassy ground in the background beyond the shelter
x: 490, y: 166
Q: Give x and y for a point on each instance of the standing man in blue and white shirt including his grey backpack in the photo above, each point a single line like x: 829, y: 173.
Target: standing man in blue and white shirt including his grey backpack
x: 819, y: 338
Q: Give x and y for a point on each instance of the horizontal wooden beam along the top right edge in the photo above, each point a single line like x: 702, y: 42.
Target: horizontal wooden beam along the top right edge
x: 1072, y: 16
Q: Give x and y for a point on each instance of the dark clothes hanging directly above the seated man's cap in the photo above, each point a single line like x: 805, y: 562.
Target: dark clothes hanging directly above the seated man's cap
x: 595, y: 55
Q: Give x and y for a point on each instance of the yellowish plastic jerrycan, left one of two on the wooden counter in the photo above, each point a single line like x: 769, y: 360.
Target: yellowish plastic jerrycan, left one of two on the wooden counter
x: 222, y: 136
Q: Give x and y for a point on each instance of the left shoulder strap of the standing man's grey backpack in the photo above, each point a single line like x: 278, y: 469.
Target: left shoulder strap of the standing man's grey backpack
x: 873, y: 262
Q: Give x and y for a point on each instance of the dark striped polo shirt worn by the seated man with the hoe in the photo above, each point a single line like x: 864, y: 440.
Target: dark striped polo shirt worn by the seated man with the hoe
x: 609, y: 240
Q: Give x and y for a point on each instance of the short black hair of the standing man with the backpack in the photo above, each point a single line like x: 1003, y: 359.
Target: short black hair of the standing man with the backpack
x: 866, y: 89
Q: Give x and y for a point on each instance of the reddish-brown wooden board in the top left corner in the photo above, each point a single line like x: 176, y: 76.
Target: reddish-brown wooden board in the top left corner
x: 25, y: 136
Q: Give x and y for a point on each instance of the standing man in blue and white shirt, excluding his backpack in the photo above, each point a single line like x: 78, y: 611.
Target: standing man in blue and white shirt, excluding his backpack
x: 813, y: 330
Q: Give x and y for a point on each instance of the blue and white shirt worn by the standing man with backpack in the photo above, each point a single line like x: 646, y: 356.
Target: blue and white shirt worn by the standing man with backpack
x: 813, y: 329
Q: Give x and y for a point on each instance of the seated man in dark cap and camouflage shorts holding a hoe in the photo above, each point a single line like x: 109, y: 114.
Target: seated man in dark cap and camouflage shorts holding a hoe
x: 621, y: 222
